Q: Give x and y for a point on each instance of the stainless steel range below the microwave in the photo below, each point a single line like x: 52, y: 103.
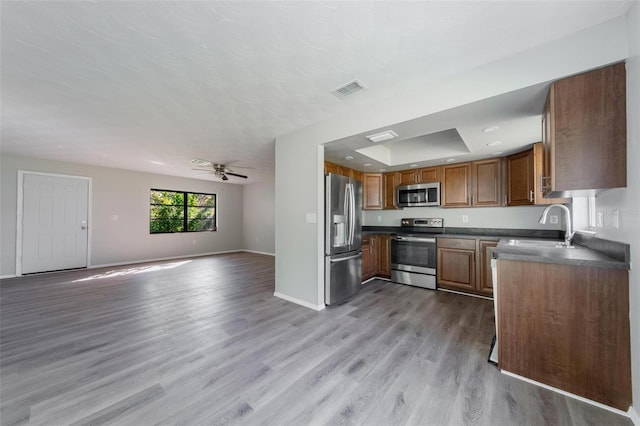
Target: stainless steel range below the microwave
x: 413, y: 252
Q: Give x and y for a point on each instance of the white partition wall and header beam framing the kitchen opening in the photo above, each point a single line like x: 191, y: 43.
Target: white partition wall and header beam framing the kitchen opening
x: 297, y: 154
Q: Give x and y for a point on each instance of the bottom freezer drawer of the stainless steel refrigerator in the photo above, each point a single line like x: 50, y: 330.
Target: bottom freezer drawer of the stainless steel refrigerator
x: 343, y: 277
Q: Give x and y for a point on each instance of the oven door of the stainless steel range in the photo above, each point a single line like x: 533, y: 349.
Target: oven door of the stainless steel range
x: 413, y: 253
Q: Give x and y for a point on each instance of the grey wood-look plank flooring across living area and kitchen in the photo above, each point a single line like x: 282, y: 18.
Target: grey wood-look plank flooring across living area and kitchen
x: 204, y: 341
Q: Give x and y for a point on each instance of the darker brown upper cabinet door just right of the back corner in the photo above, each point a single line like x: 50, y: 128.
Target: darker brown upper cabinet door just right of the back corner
x: 520, y: 191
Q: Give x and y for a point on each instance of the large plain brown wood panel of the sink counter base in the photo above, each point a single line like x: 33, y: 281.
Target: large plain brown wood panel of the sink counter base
x: 568, y: 327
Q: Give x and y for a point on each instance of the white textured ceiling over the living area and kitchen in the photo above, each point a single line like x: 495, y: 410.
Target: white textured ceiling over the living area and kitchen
x: 133, y: 84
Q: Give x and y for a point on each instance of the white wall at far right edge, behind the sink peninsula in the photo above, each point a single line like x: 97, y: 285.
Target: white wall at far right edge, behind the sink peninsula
x: 627, y: 201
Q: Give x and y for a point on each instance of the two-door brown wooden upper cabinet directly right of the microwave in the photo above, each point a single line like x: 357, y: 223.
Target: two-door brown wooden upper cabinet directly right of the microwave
x: 478, y: 184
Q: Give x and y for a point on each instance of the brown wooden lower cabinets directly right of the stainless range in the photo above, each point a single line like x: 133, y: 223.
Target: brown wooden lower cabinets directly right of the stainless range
x: 464, y: 264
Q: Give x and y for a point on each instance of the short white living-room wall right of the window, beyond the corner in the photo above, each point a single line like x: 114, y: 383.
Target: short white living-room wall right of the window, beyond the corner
x: 258, y: 219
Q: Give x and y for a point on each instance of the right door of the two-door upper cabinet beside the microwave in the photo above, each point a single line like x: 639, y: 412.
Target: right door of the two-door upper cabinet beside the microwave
x: 487, y: 183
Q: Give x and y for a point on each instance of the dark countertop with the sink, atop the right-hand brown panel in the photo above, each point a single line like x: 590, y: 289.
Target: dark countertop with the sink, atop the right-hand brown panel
x: 578, y: 256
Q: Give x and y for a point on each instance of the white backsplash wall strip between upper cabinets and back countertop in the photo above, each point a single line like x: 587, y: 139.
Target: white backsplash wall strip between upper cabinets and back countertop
x: 480, y: 217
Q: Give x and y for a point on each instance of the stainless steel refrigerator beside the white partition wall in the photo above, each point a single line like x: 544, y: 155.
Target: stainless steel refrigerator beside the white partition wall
x: 343, y: 237
